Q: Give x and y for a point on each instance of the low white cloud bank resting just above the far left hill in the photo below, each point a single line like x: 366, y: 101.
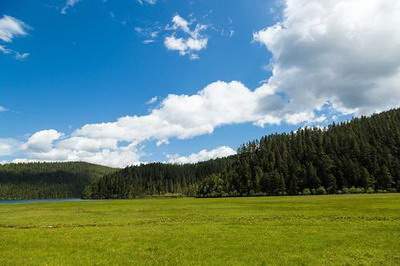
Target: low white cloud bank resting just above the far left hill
x: 50, y: 145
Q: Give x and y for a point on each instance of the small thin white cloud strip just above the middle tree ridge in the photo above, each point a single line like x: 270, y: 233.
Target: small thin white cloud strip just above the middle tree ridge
x: 203, y: 155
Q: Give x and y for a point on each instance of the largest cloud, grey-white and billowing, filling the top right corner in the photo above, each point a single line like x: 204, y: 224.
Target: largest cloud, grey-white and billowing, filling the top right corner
x: 343, y: 52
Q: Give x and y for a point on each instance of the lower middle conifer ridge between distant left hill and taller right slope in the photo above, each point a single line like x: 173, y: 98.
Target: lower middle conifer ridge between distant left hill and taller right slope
x: 157, y: 179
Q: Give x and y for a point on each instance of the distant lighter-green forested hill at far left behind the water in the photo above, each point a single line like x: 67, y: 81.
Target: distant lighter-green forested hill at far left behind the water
x: 48, y: 180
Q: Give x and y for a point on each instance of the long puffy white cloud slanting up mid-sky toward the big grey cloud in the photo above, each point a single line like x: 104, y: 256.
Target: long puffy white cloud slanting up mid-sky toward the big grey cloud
x: 188, y: 116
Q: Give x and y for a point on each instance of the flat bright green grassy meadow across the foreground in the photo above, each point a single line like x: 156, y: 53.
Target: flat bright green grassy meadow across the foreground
x: 308, y: 230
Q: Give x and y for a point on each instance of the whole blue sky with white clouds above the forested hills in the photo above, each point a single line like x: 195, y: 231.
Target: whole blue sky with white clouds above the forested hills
x: 135, y: 81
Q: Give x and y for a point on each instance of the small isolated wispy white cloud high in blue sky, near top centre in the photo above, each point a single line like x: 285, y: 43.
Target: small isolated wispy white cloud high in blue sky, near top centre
x: 192, y: 40
